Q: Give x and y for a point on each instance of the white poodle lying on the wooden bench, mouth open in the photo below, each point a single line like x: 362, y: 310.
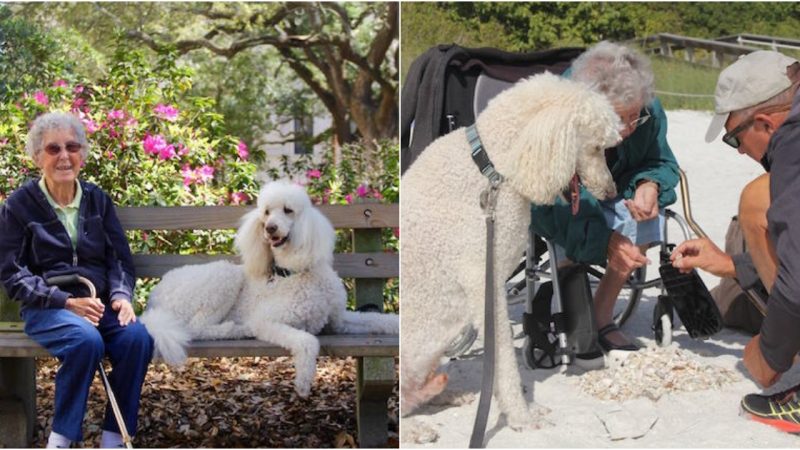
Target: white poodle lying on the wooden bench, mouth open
x: 285, y: 292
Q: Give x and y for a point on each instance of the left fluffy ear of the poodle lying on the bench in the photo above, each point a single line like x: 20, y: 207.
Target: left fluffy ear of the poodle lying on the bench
x: 255, y: 251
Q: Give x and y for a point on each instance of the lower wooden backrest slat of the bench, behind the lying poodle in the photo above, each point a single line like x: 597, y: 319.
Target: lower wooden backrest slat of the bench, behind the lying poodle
x: 347, y: 265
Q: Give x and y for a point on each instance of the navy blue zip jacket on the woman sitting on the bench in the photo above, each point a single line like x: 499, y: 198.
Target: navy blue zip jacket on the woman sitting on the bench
x: 34, y: 245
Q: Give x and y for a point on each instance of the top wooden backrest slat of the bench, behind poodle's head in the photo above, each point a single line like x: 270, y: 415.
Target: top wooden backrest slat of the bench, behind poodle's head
x: 367, y: 215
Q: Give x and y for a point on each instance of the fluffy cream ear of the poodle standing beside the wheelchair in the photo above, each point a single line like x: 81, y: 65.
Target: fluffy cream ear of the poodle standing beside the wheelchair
x: 545, y: 152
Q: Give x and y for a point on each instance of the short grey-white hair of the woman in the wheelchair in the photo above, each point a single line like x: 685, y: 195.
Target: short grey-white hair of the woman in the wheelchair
x: 621, y: 73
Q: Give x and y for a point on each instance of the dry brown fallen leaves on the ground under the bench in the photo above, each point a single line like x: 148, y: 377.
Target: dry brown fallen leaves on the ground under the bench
x: 229, y: 402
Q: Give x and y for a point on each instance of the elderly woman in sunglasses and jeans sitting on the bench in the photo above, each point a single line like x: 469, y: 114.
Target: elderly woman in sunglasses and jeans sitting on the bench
x: 58, y: 225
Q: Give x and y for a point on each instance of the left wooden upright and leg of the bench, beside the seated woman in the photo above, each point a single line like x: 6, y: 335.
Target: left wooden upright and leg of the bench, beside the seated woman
x: 17, y: 385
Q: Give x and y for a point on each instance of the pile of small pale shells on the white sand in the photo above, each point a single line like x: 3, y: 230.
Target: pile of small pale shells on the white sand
x: 652, y: 372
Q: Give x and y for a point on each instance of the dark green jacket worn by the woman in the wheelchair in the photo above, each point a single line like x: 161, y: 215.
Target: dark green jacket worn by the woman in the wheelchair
x: 644, y: 155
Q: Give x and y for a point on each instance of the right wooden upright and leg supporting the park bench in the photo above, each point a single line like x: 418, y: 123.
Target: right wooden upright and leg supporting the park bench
x: 376, y: 375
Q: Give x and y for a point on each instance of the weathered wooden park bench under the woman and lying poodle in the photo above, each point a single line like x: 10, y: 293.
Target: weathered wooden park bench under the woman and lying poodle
x: 369, y: 265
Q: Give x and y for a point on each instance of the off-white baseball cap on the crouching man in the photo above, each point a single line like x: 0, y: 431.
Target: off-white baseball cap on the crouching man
x: 754, y: 78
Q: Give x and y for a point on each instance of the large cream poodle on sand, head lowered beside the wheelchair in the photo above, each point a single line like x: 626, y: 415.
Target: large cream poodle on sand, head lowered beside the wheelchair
x: 538, y: 134
